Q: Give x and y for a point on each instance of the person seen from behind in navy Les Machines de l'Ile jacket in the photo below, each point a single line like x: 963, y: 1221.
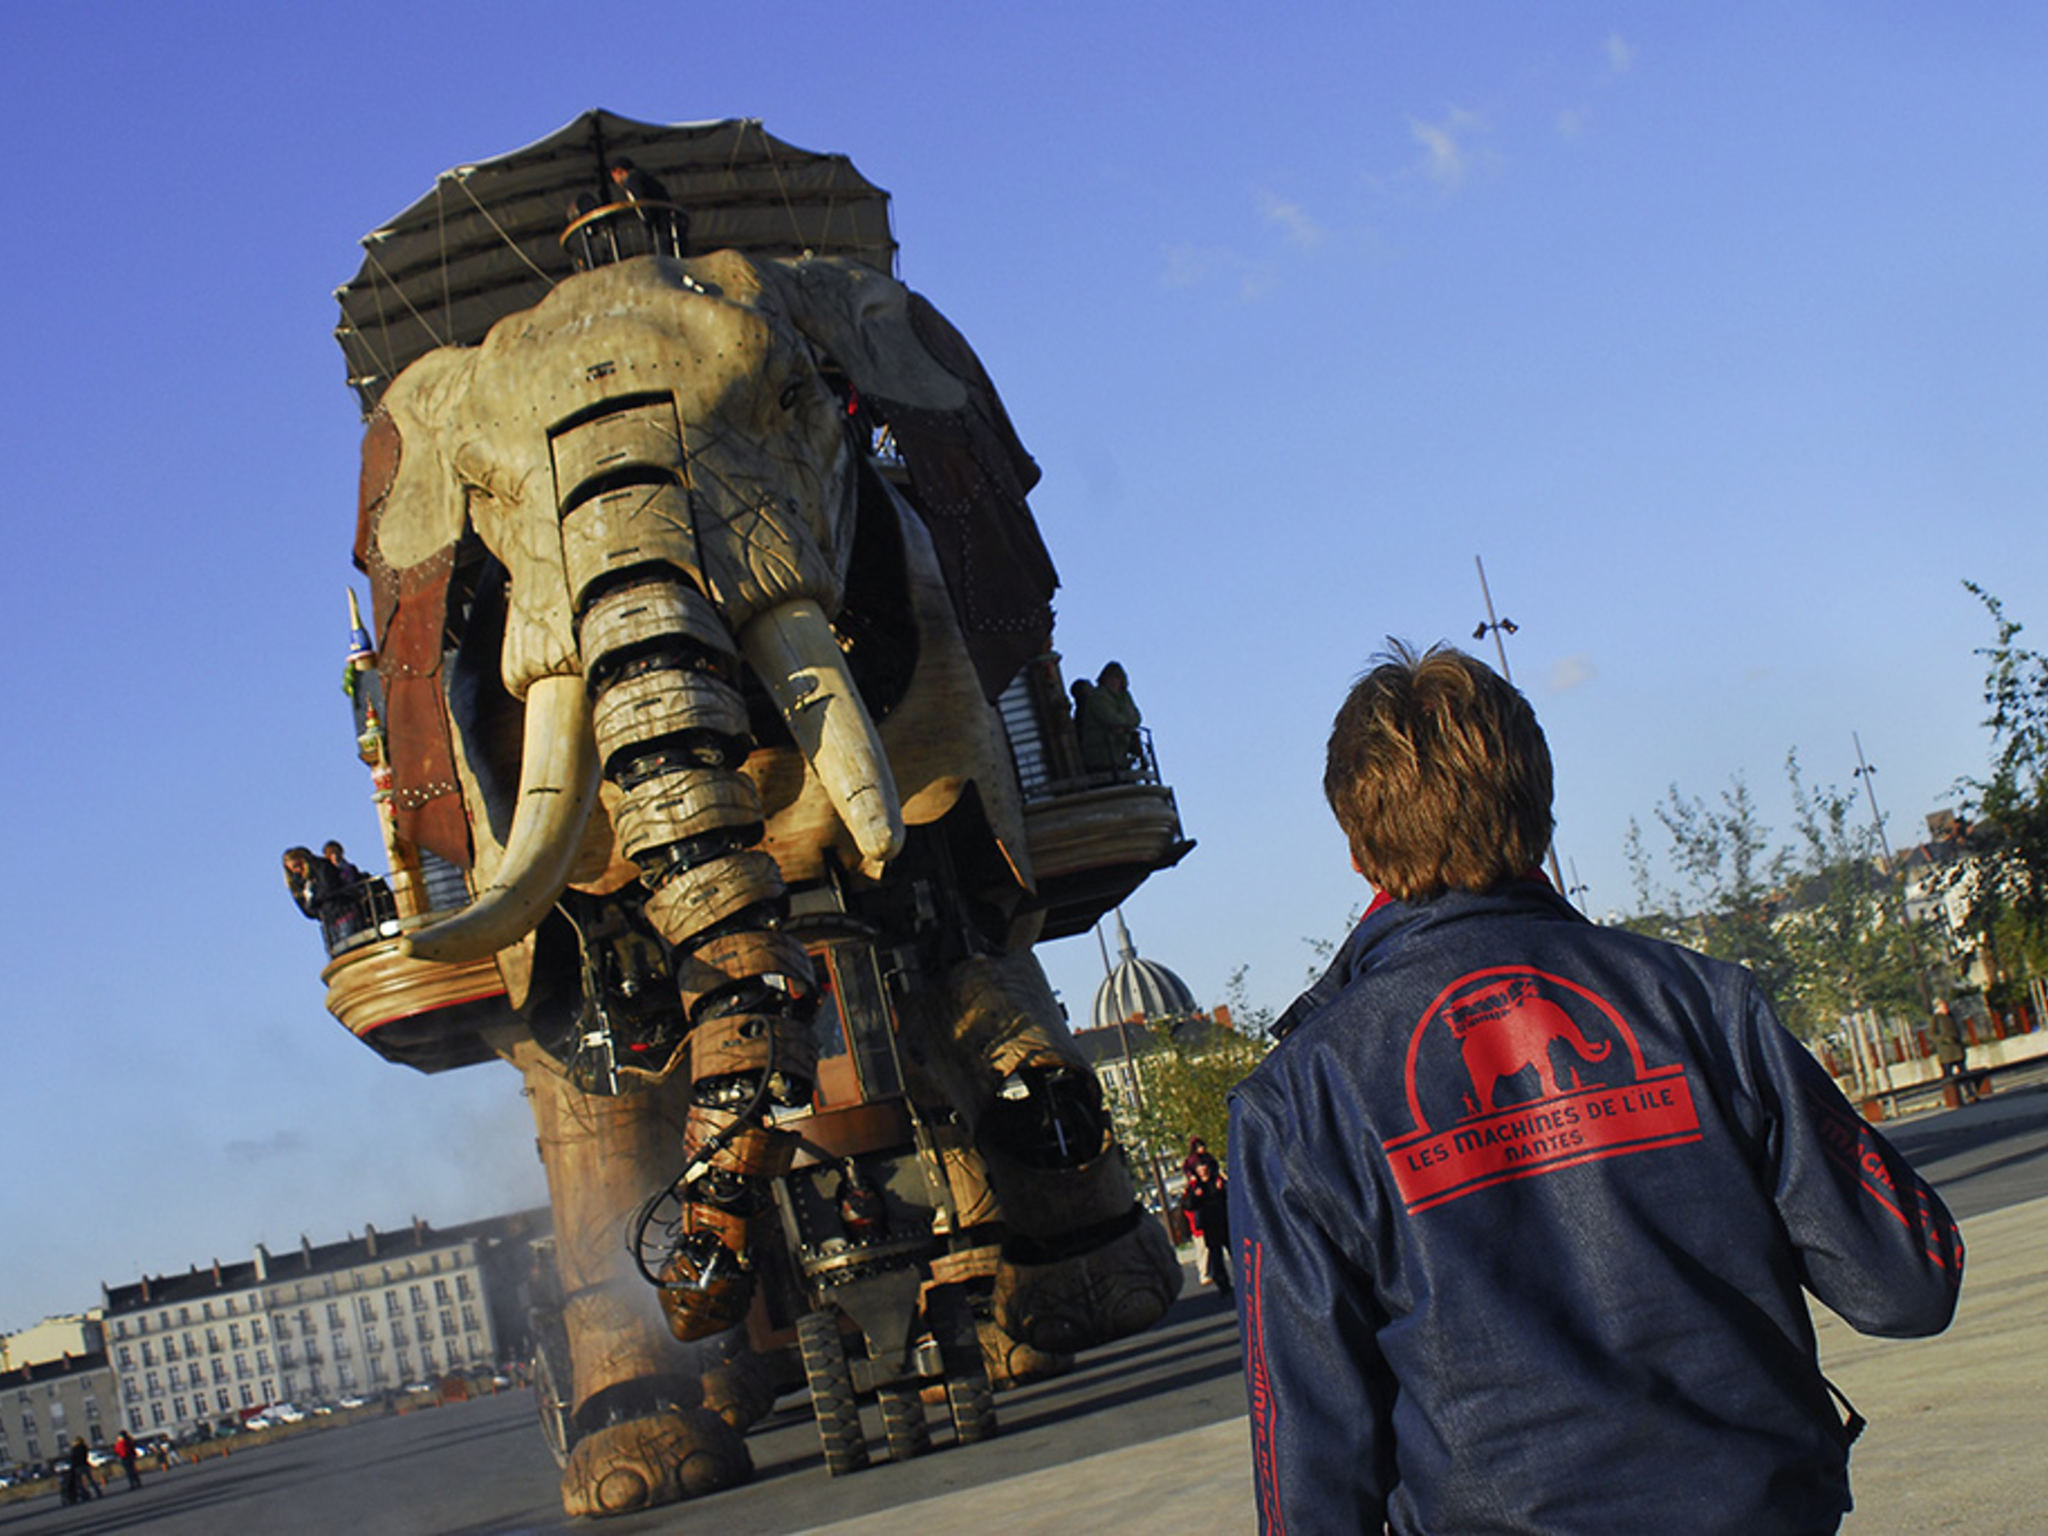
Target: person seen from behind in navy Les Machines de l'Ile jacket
x: 1525, y: 1207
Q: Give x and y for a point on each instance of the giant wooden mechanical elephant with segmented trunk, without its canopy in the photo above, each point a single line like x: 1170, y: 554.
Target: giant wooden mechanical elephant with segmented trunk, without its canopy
x: 701, y: 703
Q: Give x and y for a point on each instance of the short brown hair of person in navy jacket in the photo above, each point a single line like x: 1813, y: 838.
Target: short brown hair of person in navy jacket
x: 1441, y: 775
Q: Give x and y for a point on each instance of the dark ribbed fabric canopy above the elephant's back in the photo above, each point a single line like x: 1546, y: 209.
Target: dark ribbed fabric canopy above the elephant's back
x: 484, y: 243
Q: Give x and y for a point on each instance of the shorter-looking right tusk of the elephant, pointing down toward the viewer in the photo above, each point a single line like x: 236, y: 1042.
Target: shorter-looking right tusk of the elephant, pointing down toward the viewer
x: 798, y: 658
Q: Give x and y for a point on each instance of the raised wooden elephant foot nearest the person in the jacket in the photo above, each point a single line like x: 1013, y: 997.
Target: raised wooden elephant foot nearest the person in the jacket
x: 1076, y: 1302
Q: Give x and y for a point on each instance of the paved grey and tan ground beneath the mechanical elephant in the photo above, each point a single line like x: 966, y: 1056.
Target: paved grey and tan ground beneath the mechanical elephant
x: 1150, y: 1435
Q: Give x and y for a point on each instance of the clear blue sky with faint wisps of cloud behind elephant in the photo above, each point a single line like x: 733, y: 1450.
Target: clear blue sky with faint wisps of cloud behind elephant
x: 1717, y: 333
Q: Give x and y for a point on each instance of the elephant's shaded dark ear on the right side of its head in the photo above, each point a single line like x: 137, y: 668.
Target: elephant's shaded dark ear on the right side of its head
x: 970, y: 472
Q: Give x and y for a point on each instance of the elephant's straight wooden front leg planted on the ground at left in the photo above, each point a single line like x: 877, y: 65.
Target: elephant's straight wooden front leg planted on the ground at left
x: 642, y: 1433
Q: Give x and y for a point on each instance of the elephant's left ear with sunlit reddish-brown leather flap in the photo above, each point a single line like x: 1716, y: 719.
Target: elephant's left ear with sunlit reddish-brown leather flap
x: 409, y: 523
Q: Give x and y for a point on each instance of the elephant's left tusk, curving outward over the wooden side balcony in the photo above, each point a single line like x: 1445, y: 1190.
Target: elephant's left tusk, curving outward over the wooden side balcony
x: 558, y: 785
